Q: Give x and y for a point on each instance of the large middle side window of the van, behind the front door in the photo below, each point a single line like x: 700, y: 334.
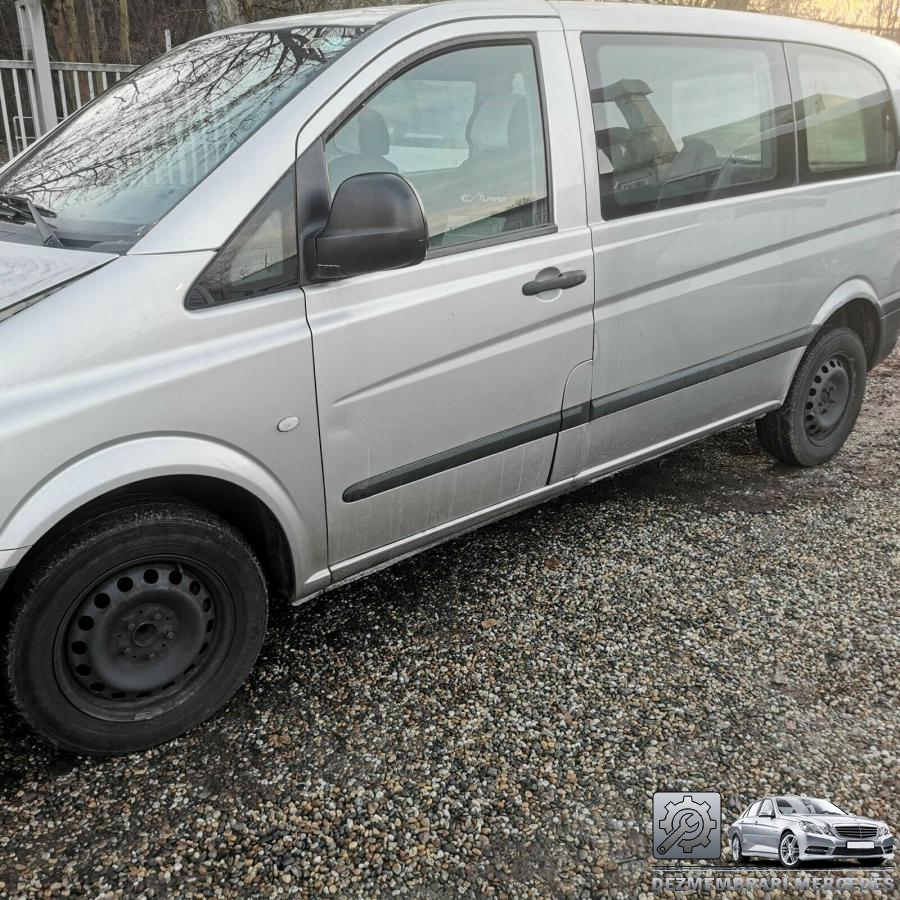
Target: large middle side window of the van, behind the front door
x: 681, y: 120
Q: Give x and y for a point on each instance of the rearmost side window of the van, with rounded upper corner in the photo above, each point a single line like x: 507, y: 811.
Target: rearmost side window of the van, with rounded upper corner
x: 845, y: 119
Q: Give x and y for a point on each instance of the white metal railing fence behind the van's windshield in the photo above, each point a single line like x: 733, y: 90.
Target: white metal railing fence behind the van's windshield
x: 74, y: 84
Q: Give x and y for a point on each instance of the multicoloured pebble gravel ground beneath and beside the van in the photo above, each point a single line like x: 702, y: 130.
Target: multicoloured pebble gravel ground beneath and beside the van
x: 492, y: 717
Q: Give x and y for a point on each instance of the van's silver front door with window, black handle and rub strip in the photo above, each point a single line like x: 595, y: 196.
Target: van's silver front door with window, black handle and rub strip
x: 440, y: 386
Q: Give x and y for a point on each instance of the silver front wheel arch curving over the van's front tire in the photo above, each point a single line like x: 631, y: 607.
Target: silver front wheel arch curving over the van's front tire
x: 216, y: 476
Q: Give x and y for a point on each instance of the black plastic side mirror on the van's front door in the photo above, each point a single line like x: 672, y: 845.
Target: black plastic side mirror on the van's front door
x: 376, y: 223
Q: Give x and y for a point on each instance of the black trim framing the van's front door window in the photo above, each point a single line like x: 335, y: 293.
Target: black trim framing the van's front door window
x: 312, y: 161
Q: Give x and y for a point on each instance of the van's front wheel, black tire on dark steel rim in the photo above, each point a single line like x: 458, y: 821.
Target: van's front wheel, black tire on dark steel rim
x: 134, y: 628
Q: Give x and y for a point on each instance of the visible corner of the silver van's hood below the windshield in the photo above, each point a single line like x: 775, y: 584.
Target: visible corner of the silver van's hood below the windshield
x: 28, y: 271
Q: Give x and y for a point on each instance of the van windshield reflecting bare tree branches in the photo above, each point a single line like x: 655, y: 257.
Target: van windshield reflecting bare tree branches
x: 112, y: 171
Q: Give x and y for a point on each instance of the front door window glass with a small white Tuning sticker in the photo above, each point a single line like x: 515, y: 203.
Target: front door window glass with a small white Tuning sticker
x: 466, y: 129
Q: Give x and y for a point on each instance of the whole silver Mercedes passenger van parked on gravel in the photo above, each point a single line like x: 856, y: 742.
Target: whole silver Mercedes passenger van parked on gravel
x: 304, y: 297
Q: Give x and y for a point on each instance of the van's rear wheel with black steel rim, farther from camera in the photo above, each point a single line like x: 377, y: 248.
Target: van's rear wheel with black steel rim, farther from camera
x: 822, y: 403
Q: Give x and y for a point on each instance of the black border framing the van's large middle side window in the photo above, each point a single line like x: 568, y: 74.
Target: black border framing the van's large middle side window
x: 789, y: 177
